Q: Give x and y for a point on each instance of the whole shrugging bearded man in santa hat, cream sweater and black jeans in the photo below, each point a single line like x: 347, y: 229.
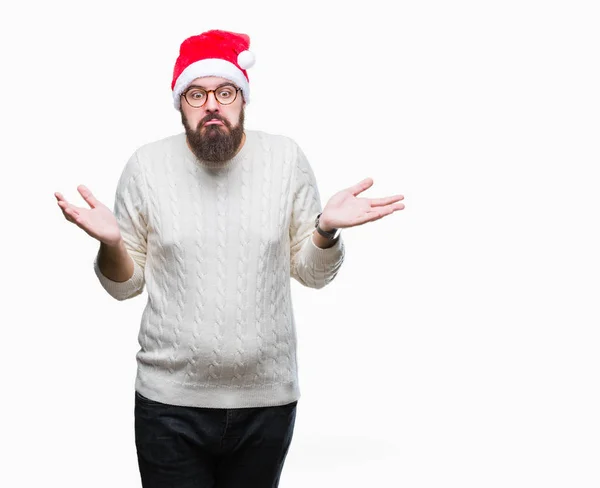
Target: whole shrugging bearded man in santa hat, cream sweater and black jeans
x: 214, y: 222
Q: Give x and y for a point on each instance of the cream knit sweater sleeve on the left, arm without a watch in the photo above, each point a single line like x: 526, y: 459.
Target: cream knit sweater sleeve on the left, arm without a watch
x: 130, y: 210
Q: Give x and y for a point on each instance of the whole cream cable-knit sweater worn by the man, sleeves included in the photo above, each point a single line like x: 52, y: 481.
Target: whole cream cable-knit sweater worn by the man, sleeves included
x: 215, y: 248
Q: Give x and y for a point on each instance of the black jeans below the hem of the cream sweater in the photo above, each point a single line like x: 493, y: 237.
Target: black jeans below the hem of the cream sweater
x: 189, y: 447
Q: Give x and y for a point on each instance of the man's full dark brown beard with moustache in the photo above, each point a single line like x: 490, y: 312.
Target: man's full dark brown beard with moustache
x: 214, y: 143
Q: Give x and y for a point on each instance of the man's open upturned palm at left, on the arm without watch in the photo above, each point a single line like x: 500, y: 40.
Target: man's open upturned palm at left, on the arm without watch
x: 98, y: 221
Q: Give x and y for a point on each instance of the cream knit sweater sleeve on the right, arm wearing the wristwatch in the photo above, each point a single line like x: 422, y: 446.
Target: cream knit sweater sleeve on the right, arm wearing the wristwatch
x: 310, y: 265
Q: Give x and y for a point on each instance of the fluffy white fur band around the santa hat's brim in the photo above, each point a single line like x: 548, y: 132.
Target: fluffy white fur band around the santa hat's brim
x: 210, y: 67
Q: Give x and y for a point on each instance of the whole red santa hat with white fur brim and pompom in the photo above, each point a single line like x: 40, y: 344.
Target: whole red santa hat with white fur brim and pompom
x: 213, y: 53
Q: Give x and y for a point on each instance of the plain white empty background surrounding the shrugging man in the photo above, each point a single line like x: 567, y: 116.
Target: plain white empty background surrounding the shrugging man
x: 459, y: 344
